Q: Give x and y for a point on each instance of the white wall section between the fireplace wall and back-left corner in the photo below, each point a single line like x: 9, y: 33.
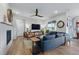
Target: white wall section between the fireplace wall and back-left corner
x: 18, y: 25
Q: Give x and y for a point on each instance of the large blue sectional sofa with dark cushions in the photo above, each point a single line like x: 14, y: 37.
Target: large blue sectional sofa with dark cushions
x: 52, y: 40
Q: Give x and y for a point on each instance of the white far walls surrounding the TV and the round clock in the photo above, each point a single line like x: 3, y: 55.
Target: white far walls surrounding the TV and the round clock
x: 19, y: 23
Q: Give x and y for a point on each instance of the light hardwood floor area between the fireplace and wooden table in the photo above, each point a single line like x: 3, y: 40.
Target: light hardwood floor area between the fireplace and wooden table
x: 18, y: 48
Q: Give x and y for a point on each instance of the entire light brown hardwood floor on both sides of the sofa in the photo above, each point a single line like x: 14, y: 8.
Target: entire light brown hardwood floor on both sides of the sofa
x: 18, y: 48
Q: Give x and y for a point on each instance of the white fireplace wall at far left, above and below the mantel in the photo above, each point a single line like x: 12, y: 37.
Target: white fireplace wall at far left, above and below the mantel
x: 3, y: 29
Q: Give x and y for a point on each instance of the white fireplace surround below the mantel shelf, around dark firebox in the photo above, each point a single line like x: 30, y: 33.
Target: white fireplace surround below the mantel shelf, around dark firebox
x: 3, y: 40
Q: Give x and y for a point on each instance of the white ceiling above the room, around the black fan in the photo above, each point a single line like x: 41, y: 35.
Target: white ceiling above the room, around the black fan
x: 45, y: 9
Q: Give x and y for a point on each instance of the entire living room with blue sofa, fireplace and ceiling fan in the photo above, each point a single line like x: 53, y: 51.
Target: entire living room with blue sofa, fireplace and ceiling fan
x: 37, y: 28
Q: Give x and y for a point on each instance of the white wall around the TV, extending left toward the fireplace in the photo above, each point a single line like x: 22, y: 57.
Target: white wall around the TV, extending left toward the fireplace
x: 18, y: 24
